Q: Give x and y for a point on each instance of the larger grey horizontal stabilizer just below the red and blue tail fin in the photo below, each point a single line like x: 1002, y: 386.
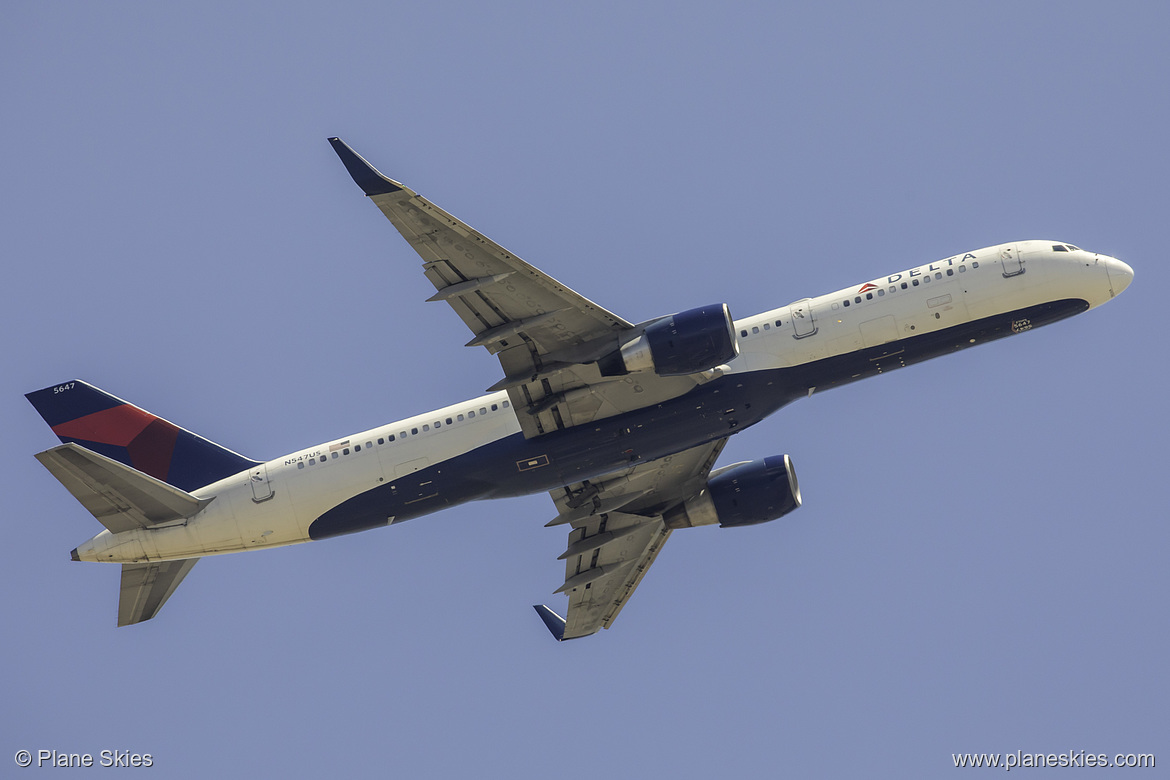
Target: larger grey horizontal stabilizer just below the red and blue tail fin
x: 120, y: 498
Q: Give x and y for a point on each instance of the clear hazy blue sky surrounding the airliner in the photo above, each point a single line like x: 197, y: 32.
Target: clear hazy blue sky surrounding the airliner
x: 980, y: 565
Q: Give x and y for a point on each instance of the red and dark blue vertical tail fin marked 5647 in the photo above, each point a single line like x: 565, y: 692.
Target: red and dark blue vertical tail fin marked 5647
x: 78, y: 412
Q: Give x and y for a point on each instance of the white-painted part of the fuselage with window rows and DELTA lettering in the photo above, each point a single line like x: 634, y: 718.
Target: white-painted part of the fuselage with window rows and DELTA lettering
x: 274, y: 505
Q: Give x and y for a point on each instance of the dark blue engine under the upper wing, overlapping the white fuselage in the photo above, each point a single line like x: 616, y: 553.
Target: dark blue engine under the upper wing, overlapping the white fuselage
x: 686, y: 343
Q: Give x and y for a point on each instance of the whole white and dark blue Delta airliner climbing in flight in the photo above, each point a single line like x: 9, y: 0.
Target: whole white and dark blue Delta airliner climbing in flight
x: 621, y: 423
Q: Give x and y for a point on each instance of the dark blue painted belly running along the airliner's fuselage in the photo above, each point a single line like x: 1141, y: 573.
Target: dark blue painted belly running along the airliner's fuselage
x: 707, y: 413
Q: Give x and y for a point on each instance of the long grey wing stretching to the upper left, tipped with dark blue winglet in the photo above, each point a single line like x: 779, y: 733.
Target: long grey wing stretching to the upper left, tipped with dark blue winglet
x: 547, y: 336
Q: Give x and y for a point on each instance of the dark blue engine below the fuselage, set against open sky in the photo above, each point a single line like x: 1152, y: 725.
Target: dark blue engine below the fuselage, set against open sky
x: 745, y: 494
